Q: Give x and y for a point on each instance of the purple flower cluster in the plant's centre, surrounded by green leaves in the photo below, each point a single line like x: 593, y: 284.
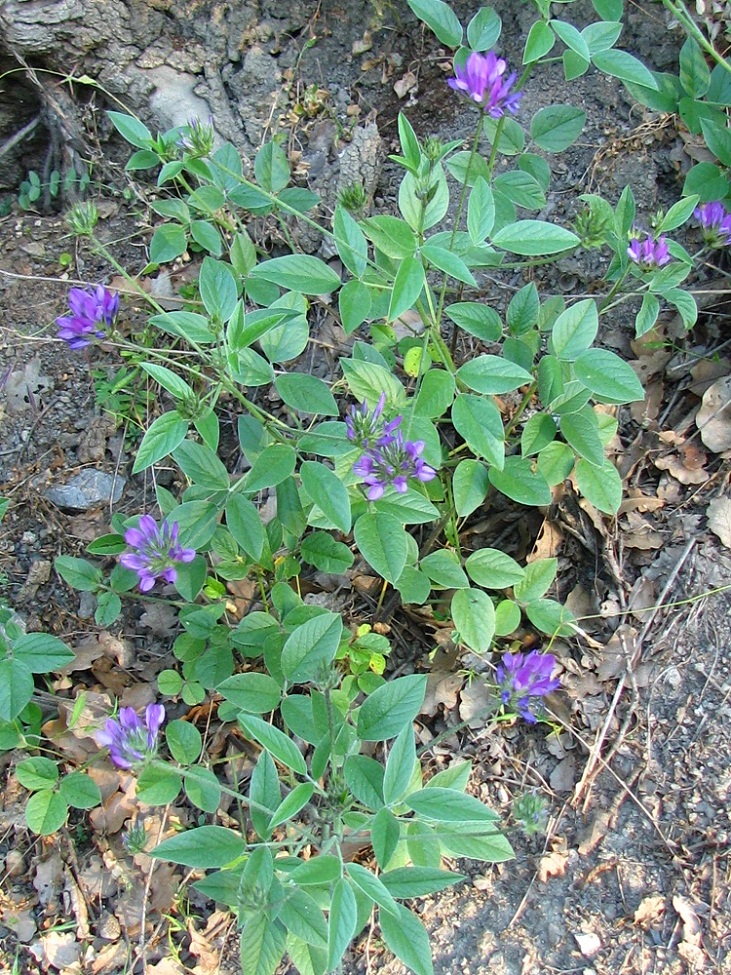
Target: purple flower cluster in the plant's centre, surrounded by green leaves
x: 388, y: 459
